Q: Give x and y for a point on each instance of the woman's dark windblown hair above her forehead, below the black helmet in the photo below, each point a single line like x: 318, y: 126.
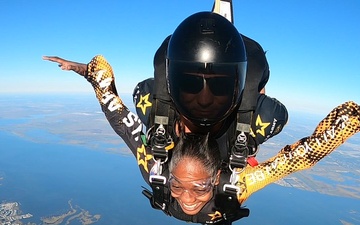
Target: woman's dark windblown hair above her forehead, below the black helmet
x: 198, y: 147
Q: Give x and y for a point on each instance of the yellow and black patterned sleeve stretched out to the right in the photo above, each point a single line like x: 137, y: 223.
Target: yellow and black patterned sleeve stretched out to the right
x: 340, y: 124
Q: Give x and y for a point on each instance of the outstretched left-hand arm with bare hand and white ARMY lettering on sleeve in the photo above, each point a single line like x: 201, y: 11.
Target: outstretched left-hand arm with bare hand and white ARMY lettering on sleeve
x: 100, y: 75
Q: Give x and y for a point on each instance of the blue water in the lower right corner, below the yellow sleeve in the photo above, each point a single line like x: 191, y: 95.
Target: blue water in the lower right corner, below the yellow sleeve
x: 276, y: 205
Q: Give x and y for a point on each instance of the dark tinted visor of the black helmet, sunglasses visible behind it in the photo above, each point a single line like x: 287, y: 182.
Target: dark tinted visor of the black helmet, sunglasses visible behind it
x: 204, y: 92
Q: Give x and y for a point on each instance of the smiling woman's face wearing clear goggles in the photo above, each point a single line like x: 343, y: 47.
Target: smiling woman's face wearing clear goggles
x: 191, y: 185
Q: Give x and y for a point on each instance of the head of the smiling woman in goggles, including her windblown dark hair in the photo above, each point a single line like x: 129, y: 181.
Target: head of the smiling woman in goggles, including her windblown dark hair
x: 194, y: 171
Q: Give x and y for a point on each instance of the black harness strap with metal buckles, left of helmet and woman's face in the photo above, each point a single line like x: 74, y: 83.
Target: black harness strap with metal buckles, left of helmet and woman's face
x: 159, y: 133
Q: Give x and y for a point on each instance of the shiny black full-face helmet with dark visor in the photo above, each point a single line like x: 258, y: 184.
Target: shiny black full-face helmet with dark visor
x: 206, y: 68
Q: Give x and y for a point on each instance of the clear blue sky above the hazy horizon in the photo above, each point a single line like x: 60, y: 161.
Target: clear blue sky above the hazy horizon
x: 313, y: 47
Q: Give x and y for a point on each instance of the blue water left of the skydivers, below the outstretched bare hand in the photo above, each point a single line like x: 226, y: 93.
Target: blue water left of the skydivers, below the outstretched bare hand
x: 44, y: 177
